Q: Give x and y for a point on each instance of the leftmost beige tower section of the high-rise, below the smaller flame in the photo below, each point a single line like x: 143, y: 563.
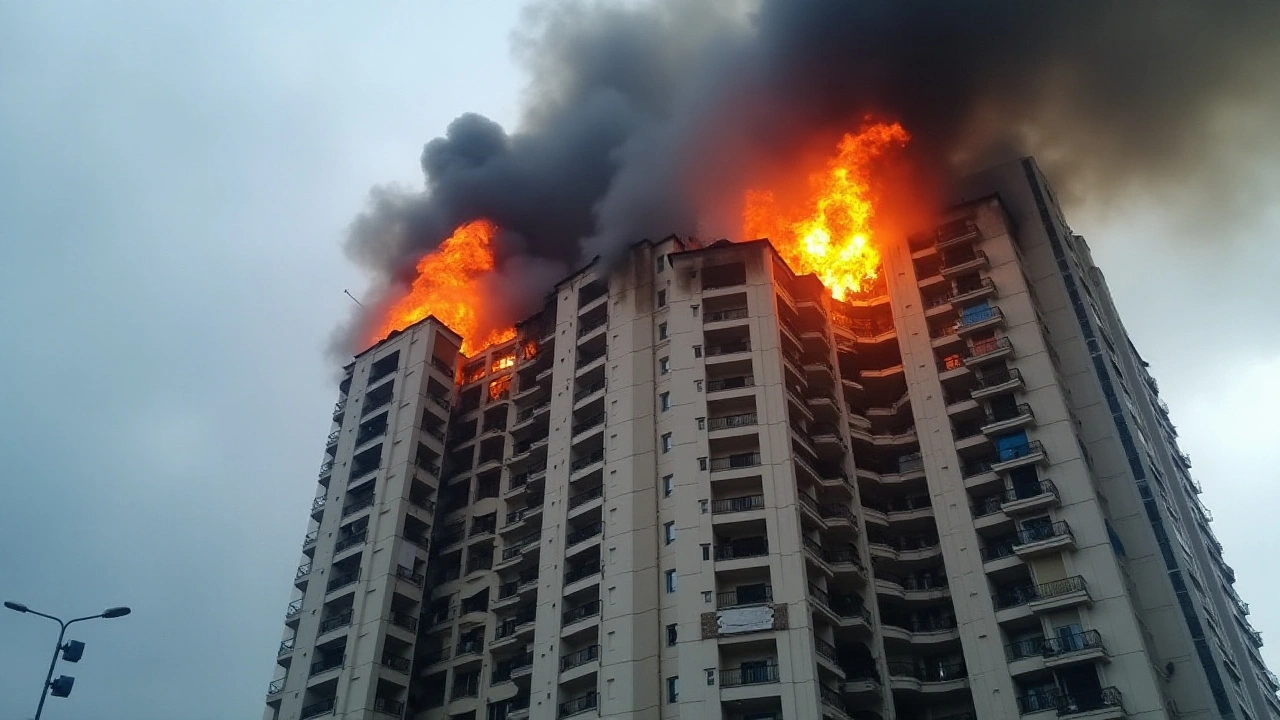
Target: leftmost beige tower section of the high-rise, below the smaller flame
x: 360, y: 590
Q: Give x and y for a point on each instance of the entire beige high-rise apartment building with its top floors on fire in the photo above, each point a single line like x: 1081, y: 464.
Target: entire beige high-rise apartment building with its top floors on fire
x: 697, y: 486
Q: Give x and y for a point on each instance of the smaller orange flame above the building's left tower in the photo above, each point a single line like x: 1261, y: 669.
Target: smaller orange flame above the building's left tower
x: 449, y: 288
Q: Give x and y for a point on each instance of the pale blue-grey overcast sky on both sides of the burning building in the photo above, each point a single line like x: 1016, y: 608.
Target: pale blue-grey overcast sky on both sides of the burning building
x: 176, y: 180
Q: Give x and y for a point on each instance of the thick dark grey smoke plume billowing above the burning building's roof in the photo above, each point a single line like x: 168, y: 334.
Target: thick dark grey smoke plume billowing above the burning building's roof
x: 642, y: 119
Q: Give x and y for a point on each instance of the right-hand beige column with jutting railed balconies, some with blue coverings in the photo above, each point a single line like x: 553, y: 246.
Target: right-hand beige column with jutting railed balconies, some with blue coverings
x: 1025, y: 502
